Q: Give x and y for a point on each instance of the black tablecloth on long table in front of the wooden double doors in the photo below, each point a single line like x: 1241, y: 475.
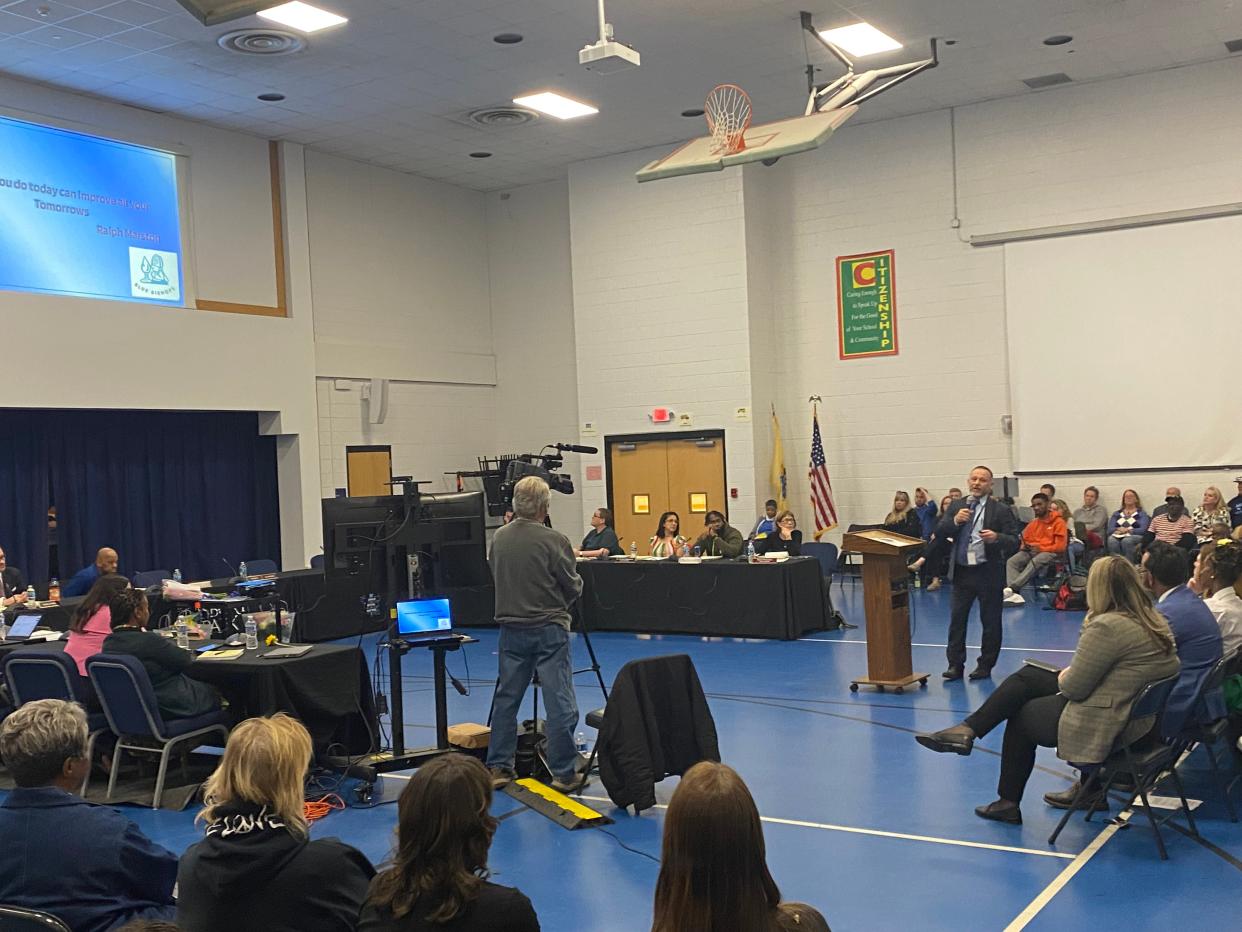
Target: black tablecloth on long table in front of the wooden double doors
x: 722, y: 597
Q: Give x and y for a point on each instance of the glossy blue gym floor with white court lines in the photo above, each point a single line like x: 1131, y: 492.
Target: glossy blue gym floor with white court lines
x: 860, y: 821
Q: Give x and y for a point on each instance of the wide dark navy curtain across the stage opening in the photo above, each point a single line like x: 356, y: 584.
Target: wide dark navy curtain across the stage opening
x: 166, y: 490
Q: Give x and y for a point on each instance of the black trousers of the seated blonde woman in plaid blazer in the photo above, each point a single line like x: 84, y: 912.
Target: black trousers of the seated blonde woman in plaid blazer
x: 1029, y: 703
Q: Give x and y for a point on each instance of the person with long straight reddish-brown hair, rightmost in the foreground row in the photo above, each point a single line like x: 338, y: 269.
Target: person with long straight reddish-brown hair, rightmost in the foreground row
x: 714, y: 873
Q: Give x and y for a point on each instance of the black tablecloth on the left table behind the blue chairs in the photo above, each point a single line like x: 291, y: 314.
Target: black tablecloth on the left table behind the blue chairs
x: 327, y: 689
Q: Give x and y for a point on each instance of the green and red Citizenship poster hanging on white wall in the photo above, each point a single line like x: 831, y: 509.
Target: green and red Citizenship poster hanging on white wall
x: 866, y: 305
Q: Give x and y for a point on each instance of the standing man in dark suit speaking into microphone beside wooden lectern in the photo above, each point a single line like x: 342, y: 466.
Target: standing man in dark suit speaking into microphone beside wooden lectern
x: 984, y: 535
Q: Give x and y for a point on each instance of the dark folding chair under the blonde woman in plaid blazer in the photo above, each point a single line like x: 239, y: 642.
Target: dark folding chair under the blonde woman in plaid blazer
x: 1146, y: 762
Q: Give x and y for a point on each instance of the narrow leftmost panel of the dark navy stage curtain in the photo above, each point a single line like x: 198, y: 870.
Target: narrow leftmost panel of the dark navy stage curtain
x: 24, y: 494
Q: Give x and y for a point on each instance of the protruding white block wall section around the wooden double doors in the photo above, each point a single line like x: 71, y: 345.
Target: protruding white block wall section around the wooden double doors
x: 661, y: 309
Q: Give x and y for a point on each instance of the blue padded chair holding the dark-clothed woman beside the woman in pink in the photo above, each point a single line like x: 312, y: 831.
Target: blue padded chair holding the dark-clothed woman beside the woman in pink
x: 134, y: 715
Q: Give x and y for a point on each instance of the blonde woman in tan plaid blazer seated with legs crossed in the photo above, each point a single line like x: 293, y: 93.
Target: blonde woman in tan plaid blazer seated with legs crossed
x: 1082, y: 711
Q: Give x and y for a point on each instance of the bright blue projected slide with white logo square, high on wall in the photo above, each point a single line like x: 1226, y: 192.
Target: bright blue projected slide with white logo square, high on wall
x: 88, y: 217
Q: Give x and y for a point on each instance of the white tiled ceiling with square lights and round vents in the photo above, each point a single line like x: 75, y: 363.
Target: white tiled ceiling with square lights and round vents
x: 392, y: 86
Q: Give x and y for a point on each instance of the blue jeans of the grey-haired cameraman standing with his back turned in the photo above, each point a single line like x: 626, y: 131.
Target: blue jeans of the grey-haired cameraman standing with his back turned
x: 525, y: 652
